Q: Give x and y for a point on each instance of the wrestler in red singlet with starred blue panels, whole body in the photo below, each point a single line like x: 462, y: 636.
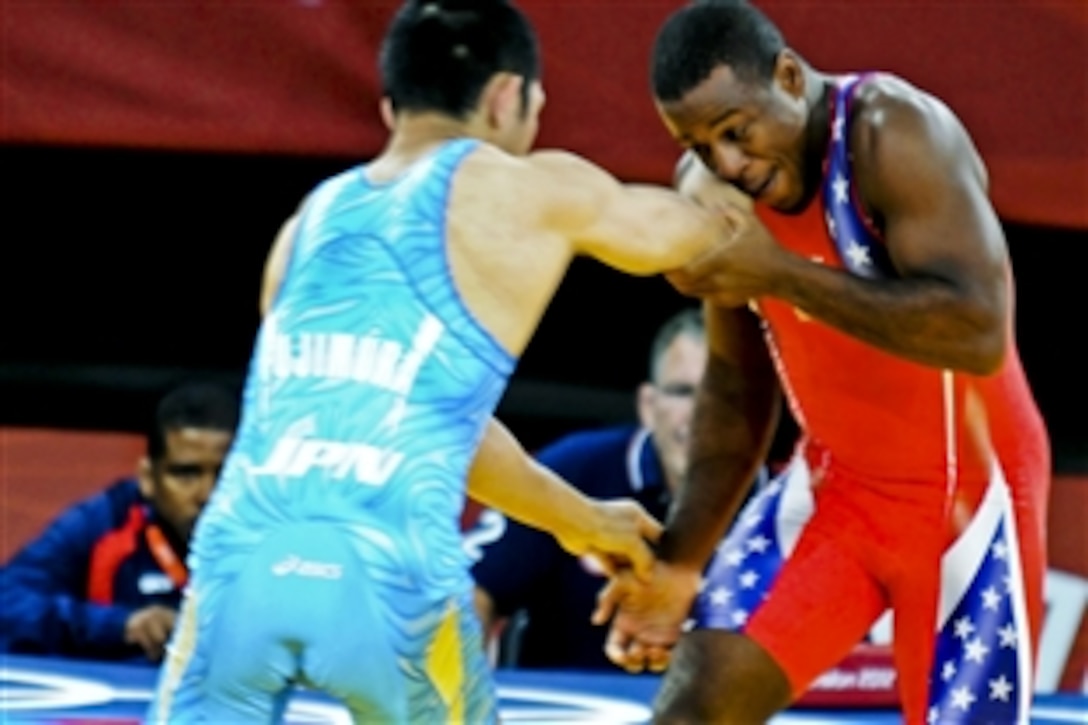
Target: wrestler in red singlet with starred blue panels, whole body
x: 879, y: 274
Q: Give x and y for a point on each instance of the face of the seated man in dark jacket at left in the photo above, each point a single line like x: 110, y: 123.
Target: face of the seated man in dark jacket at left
x: 180, y: 484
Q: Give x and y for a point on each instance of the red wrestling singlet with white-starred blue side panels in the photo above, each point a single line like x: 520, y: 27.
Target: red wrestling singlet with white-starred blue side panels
x: 892, y: 451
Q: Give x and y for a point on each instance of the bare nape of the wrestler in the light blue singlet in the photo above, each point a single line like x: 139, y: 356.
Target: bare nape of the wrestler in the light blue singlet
x: 415, y: 136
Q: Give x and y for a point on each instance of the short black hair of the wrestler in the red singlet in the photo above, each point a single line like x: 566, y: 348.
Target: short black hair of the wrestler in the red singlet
x: 707, y: 34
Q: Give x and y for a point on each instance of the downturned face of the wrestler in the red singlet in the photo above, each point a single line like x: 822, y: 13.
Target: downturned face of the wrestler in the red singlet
x: 749, y: 134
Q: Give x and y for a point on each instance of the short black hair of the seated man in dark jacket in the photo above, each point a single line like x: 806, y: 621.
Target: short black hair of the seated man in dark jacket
x: 200, y: 404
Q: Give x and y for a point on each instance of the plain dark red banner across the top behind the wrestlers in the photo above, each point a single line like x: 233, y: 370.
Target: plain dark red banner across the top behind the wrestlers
x: 299, y: 77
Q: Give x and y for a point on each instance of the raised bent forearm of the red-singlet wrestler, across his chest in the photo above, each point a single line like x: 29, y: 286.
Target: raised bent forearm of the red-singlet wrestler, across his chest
x: 930, y: 321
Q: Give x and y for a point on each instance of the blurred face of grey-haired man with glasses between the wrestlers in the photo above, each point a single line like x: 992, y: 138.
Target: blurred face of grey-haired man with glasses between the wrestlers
x: 666, y: 404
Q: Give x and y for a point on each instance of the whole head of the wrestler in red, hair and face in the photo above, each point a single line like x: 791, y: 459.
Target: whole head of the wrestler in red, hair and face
x: 727, y: 88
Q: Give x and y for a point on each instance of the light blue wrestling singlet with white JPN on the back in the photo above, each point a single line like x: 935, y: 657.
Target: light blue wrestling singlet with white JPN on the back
x: 330, y: 552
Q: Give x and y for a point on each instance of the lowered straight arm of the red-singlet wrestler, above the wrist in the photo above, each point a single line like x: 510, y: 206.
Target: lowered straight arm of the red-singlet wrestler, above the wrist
x: 734, y: 424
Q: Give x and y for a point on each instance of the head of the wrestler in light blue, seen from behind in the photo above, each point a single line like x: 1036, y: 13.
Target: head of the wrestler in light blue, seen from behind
x: 475, y: 62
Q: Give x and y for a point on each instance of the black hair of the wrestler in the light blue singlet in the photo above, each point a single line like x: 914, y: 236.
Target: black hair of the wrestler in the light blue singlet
x: 439, y: 55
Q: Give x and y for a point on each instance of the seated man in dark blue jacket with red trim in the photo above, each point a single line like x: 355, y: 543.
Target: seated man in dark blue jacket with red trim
x: 105, y: 580
